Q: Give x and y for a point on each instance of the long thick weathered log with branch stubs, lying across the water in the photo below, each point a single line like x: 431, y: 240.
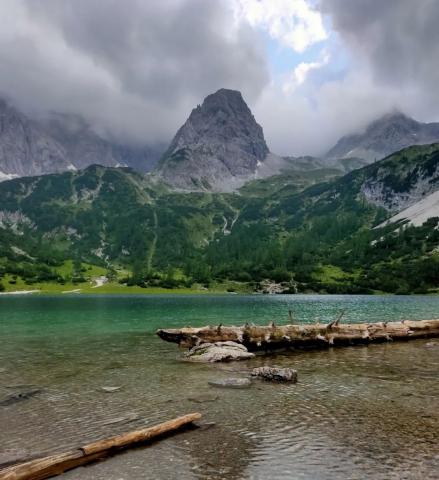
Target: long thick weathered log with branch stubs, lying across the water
x: 290, y: 336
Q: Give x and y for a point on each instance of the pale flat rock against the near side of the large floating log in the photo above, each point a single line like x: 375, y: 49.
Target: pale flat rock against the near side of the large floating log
x: 218, y: 352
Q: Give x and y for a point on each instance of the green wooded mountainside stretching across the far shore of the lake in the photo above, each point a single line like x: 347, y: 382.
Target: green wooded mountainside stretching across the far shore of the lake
x: 321, y: 238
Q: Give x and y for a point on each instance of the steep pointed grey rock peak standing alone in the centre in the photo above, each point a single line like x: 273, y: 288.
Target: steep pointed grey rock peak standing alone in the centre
x: 218, y: 148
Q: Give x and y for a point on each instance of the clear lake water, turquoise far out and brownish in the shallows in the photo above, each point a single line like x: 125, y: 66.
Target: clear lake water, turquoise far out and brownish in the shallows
x: 356, y: 413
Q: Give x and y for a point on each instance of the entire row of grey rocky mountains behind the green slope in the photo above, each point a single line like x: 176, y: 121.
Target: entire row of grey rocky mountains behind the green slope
x: 220, y: 147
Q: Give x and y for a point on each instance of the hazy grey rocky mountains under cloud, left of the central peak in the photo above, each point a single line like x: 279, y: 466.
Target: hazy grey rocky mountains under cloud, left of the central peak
x: 59, y: 143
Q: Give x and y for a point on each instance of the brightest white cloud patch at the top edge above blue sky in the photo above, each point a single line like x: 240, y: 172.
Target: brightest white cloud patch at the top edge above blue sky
x: 293, y: 22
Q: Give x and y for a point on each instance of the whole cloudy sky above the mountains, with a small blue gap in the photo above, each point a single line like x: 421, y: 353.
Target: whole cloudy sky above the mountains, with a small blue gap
x: 310, y: 70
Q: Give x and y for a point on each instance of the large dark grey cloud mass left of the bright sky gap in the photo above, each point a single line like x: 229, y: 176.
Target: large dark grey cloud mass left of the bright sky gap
x: 135, y: 66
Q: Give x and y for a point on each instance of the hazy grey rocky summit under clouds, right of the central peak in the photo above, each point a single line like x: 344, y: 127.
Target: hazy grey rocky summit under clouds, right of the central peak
x: 386, y: 135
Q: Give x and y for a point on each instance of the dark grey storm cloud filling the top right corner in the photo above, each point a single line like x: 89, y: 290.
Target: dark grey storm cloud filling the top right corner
x: 399, y: 38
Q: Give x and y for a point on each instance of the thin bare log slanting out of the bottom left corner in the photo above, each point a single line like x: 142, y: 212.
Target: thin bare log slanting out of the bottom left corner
x: 56, y: 464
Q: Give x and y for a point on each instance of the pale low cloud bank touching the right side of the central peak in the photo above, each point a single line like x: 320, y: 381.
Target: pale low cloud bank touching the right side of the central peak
x: 309, y: 119
